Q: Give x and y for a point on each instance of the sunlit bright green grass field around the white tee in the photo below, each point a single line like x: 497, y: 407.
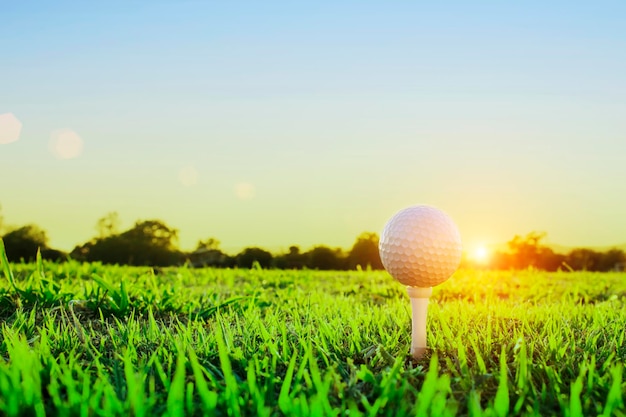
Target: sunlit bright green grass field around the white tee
x: 91, y: 340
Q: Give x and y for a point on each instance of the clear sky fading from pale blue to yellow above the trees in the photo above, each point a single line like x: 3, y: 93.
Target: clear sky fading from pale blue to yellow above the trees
x: 278, y: 123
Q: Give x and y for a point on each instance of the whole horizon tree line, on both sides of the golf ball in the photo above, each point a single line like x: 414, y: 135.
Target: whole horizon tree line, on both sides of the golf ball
x: 154, y: 243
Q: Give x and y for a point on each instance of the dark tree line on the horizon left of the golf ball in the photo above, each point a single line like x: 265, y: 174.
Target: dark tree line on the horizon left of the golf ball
x: 154, y: 243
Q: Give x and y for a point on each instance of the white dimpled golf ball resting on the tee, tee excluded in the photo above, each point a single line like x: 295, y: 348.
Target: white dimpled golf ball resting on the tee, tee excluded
x: 420, y: 246
